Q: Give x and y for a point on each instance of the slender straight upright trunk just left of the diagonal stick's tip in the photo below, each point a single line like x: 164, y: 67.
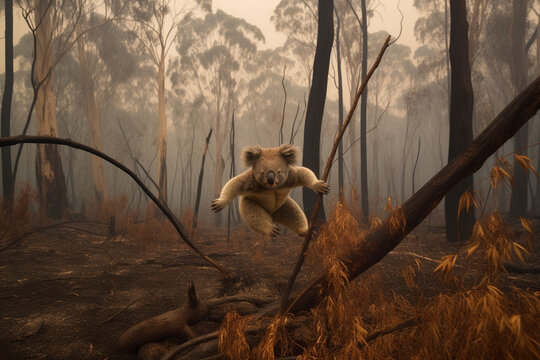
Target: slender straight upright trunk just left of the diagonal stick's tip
x: 363, y: 120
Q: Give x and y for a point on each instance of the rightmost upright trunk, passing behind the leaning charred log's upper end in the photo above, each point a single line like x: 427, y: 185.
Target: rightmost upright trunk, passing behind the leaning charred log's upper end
x: 518, y: 69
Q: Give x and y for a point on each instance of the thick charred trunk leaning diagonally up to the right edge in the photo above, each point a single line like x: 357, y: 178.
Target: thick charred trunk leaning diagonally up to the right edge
x: 384, y: 238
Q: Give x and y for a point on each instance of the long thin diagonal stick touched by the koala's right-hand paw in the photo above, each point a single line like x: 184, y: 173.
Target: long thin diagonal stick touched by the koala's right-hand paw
x: 309, y: 234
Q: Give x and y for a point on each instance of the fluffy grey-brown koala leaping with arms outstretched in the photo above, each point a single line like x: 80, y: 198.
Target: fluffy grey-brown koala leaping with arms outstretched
x: 264, y: 189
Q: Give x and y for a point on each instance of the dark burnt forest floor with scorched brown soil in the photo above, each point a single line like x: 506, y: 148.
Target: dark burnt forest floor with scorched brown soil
x: 70, y: 291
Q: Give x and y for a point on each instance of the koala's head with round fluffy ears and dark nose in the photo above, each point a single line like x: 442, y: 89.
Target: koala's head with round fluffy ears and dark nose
x: 270, y: 165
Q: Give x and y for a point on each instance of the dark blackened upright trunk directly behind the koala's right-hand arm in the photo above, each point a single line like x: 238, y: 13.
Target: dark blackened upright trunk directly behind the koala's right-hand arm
x: 316, y: 100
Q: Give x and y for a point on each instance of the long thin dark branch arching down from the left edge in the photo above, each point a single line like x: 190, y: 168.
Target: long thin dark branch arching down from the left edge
x: 25, y: 139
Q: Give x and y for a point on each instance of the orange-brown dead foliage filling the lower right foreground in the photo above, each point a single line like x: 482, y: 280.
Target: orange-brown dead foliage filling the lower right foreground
x: 473, y: 318
